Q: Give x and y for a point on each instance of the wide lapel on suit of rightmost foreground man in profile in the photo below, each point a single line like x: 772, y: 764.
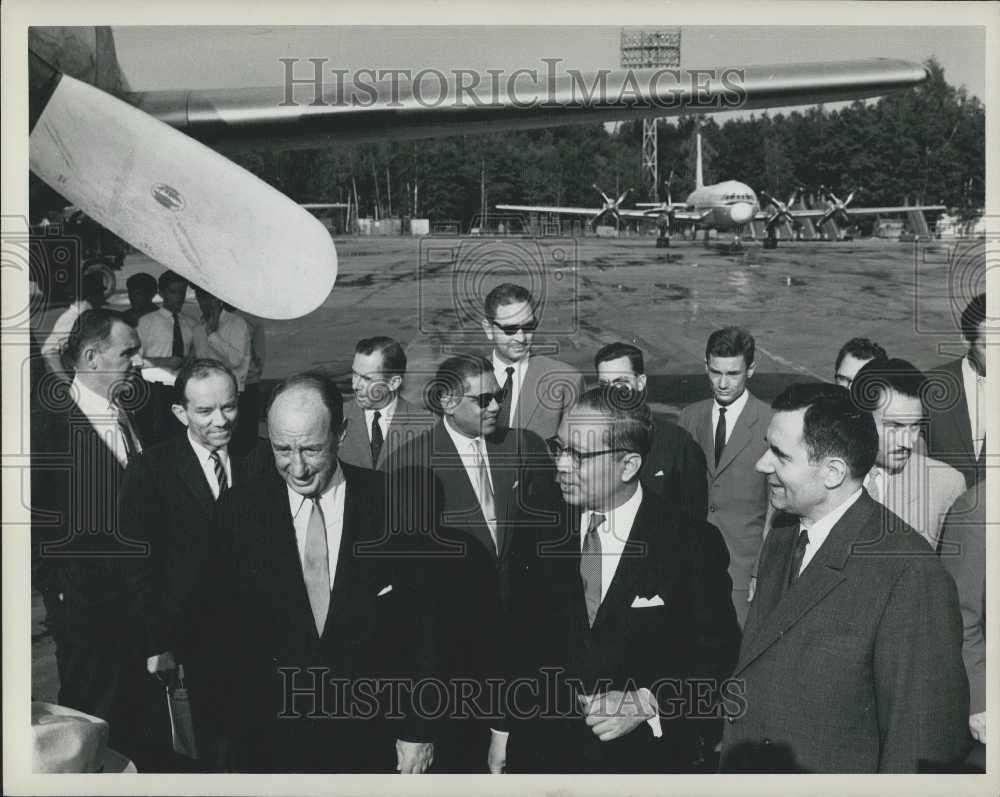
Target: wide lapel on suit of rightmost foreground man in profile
x: 823, y: 574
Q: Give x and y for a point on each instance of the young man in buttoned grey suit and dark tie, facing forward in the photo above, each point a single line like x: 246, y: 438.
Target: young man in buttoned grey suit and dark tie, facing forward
x: 730, y: 430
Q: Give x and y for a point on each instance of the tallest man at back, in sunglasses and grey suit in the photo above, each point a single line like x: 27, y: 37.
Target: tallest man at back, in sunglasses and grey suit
x: 536, y: 390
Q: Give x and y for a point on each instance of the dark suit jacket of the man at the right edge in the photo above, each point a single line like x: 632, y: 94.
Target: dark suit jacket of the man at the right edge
x: 949, y: 433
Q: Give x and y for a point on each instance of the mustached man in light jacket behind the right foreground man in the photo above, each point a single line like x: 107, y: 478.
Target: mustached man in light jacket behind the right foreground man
x: 909, y: 484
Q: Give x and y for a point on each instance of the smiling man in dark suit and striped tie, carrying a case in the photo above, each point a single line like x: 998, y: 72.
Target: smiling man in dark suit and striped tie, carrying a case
x: 168, y: 499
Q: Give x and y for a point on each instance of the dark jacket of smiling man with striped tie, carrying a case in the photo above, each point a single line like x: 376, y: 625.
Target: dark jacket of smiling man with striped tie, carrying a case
x: 167, y: 502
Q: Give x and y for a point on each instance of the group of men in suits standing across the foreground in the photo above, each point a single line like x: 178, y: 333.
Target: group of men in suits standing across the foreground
x: 568, y: 576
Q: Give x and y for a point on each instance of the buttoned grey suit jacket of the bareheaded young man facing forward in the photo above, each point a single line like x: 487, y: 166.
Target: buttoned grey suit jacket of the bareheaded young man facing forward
x: 737, y: 494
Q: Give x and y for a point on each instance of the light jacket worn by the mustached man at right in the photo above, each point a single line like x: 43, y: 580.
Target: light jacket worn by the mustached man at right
x: 921, y: 494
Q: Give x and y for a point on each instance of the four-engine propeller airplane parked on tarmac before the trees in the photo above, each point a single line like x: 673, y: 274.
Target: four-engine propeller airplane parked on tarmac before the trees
x: 729, y: 206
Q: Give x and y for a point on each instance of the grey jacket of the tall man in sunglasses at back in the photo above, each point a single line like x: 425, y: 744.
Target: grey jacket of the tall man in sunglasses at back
x: 549, y: 388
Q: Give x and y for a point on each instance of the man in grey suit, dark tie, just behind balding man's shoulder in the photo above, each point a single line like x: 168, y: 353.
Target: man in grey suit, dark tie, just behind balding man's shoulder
x: 379, y: 420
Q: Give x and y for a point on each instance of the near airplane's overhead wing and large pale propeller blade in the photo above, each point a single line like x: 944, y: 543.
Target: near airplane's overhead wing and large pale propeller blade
x: 141, y: 163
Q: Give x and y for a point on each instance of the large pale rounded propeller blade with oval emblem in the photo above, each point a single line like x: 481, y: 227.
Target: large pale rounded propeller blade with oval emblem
x: 186, y: 206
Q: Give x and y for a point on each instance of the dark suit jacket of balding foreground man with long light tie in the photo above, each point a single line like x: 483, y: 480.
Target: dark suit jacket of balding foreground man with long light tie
x: 278, y: 714
